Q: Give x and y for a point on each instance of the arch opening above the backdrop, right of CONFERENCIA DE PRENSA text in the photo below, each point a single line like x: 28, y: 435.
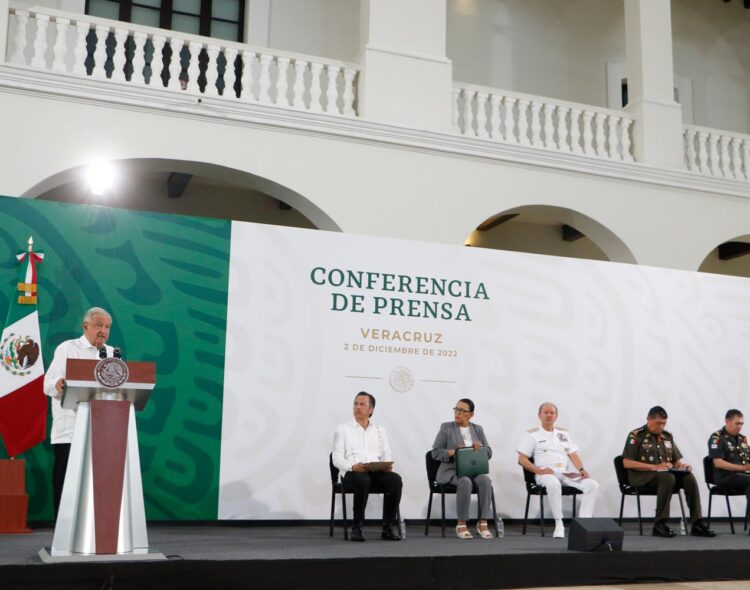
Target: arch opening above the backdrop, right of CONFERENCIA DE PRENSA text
x: 556, y: 231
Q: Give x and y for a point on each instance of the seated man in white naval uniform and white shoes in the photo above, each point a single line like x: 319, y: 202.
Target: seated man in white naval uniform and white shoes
x: 553, y: 452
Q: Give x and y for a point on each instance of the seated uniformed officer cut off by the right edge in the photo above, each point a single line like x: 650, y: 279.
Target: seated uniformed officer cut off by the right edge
x: 730, y: 453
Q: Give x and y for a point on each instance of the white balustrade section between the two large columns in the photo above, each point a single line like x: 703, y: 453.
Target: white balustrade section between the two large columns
x: 502, y: 116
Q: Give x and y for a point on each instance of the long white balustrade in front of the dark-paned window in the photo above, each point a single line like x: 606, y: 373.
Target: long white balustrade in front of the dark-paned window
x: 147, y: 57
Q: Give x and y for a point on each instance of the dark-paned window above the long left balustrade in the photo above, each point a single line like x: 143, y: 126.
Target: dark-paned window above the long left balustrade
x: 223, y: 19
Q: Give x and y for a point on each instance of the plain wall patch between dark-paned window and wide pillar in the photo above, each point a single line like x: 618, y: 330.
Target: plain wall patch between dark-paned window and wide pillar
x: 326, y: 28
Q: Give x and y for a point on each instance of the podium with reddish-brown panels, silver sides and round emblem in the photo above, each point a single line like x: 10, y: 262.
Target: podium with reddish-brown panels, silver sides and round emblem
x: 102, y: 515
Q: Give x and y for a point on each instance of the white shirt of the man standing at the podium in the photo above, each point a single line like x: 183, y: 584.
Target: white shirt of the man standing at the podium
x: 63, y: 421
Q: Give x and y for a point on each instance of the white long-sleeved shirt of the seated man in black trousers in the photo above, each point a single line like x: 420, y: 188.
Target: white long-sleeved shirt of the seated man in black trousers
x: 354, y: 444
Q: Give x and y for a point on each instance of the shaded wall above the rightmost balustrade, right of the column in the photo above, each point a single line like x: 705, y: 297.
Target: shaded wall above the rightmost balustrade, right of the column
x: 711, y: 48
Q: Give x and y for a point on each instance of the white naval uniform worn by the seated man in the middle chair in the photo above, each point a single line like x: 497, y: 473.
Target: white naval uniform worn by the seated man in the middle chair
x: 553, y: 449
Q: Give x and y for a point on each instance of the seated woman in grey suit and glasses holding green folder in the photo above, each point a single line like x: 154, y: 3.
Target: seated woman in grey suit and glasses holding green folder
x: 463, y: 433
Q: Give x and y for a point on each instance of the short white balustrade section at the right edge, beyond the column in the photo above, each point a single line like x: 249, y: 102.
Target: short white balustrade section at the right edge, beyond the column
x: 717, y: 153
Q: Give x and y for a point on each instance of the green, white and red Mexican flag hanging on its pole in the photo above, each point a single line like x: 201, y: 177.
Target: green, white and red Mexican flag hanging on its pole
x: 23, y: 405
